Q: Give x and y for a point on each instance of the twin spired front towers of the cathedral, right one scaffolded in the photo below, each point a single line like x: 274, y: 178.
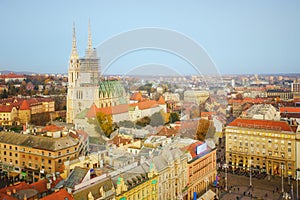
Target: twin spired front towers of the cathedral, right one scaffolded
x: 83, y: 77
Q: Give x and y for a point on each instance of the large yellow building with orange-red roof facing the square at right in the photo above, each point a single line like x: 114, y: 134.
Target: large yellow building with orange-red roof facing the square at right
x: 267, y: 143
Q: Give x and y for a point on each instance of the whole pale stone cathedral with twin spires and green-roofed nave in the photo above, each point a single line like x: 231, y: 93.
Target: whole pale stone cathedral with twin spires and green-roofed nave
x: 85, y: 84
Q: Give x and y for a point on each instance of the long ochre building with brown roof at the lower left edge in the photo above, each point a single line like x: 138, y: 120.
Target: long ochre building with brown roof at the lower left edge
x: 35, y: 156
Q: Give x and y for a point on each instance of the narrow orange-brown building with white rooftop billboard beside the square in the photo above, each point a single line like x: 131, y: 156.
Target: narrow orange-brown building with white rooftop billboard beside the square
x: 202, y: 167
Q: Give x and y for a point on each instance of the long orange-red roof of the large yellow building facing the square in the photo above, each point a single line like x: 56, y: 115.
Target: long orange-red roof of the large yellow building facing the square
x: 261, y: 124
